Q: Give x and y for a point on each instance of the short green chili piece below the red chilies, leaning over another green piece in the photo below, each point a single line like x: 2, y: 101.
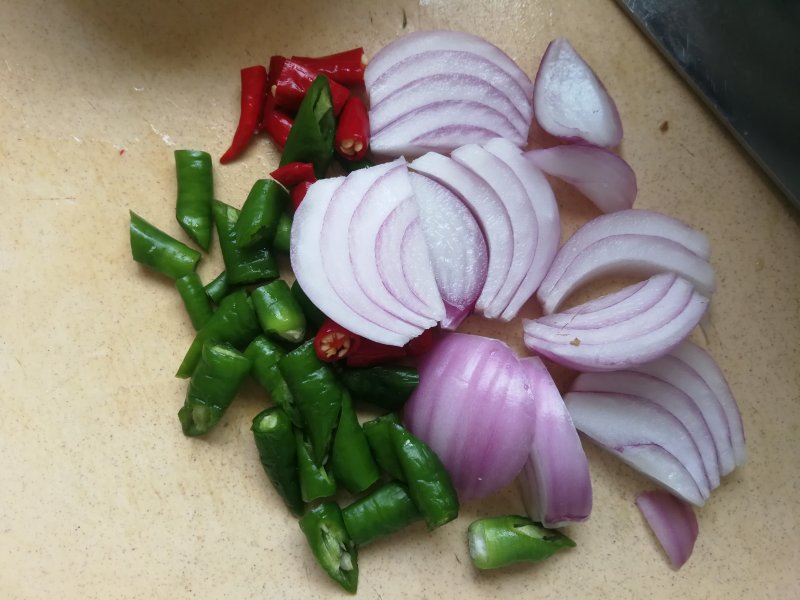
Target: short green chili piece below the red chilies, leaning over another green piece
x: 258, y: 220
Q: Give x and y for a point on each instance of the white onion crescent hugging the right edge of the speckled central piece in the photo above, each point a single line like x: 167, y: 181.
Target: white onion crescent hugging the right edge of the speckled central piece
x: 488, y: 210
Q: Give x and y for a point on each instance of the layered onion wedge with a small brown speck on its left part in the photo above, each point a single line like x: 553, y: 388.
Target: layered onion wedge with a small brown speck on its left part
x: 647, y: 333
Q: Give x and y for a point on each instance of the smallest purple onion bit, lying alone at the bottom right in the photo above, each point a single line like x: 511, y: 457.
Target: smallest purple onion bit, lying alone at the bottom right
x: 673, y: 521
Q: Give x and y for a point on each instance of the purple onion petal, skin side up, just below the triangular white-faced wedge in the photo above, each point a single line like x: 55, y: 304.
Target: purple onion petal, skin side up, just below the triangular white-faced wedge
x: 602, y: 176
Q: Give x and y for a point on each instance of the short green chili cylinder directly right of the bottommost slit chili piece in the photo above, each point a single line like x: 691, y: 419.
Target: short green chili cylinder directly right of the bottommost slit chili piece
x: 381, y: 513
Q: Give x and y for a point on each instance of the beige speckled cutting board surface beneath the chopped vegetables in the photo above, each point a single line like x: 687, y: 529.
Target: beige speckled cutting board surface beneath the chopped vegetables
x: 101, y: 496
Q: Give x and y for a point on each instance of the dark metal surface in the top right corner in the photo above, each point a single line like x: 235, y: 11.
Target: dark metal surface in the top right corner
x: 743, y: 58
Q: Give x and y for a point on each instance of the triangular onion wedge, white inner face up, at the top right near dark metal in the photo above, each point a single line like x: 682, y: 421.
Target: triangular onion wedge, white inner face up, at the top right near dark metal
x: 570, y: 102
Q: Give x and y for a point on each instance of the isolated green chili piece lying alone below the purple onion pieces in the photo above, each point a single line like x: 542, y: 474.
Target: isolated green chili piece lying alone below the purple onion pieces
x: 499, y: 541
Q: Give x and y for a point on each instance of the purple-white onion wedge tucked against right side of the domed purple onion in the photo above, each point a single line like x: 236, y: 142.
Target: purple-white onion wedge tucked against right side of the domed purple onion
x: 555, y: 483
